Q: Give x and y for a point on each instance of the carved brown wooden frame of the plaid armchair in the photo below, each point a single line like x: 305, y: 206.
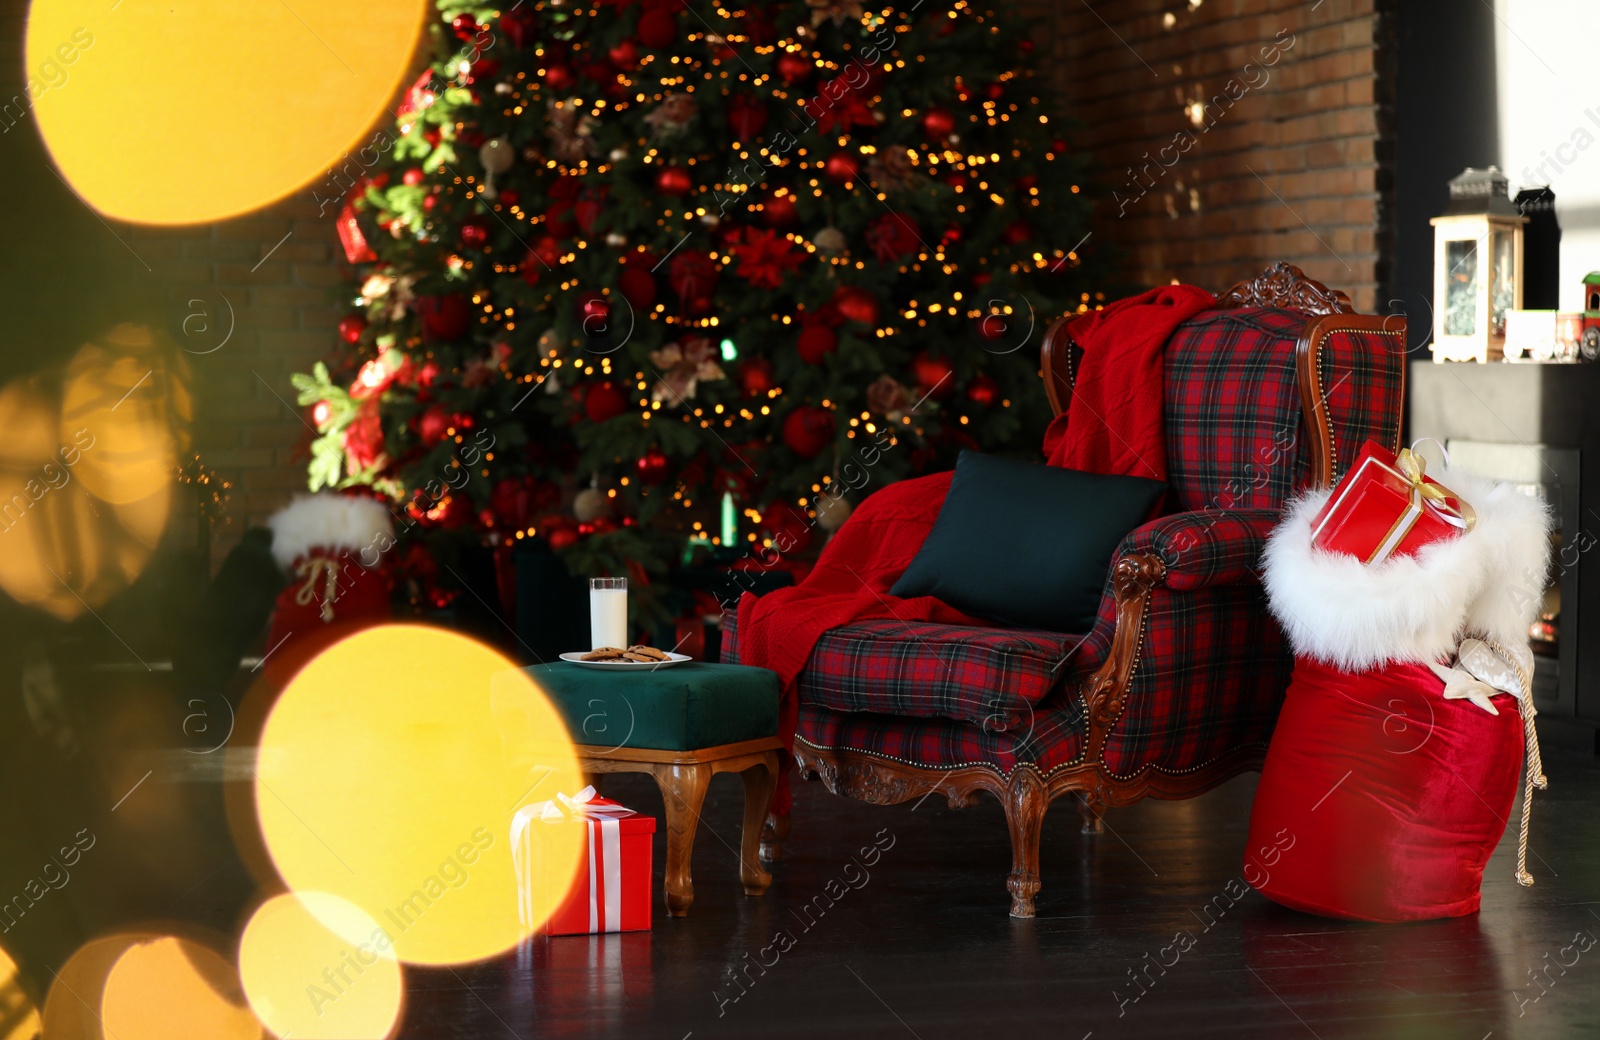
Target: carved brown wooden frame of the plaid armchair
x: 1026, y: 794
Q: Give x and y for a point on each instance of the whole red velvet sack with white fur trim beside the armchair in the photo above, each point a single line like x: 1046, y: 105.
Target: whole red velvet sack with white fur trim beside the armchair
x: 1393, y: 772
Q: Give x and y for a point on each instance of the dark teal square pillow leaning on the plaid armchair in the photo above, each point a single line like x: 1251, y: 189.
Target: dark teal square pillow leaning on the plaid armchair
x: 1026, y: 545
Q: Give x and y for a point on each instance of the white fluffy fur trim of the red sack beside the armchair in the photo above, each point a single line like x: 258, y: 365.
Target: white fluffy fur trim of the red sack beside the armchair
x: 1354, y: 617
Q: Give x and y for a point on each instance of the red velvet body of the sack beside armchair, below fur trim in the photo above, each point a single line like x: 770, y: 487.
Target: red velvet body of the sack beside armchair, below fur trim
x: 1385, y: 798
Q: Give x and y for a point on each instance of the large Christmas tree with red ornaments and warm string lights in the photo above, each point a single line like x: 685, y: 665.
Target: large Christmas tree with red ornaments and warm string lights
x: 641, y: 274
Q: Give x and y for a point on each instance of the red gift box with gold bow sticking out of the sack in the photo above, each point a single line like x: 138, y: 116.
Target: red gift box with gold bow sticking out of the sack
x: 1388, y: 506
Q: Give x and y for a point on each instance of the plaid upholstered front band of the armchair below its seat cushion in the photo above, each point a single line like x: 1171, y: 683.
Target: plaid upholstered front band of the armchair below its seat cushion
x: 1050, y: 740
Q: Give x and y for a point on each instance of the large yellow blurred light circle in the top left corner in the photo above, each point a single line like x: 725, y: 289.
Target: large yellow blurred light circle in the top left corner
x: 258, y: 98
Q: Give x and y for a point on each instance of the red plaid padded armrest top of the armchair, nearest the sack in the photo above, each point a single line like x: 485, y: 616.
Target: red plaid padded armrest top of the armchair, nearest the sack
x: 1204, y: 548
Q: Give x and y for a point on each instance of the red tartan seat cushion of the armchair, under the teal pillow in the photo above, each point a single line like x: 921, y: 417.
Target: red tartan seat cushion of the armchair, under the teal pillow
x: 990, y: 678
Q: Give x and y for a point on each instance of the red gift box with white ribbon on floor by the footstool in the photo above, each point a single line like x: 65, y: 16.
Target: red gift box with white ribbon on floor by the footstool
x: 612, y: 887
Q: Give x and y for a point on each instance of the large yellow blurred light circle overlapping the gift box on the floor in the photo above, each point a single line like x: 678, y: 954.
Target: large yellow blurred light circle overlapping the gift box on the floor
x: 388, y: 775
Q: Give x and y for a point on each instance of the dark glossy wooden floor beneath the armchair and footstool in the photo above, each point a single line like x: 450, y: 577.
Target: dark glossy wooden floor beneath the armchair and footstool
x: 924, y: 948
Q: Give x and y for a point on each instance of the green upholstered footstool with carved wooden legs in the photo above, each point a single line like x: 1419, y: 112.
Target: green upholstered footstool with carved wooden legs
x: 682, y: 726
